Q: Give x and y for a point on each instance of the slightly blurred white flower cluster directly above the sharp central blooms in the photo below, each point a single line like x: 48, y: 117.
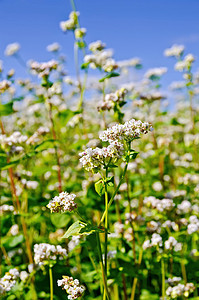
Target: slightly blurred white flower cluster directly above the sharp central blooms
x: 112, y: 98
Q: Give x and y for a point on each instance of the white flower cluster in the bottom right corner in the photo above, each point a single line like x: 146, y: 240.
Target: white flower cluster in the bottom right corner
x: 180, y: 290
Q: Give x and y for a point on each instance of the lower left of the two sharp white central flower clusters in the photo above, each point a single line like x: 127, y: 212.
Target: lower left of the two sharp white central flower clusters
x: 94, y: 158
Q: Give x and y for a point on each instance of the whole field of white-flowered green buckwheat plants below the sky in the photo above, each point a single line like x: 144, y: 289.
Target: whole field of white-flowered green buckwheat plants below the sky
x: 99, y: 180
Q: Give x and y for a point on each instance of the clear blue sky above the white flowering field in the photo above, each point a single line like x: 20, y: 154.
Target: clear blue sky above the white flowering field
x: 142, y: 28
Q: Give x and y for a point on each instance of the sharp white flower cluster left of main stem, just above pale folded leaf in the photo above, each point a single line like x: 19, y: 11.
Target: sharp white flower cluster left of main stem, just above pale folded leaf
x: 62, y: 203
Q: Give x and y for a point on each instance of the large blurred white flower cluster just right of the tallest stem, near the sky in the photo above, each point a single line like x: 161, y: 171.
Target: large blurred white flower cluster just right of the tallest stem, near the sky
x: 102, y: 60
